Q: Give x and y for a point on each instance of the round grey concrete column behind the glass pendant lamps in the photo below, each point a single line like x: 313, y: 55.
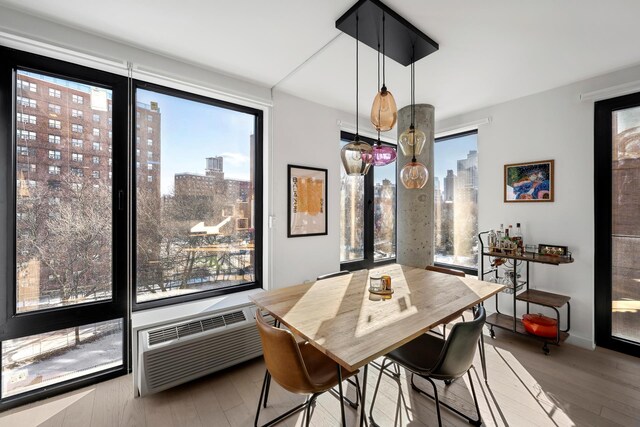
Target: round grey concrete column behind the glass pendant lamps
x: 415, y: 225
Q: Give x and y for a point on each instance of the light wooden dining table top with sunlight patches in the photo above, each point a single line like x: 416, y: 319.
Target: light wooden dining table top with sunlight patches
x: 343, y: 320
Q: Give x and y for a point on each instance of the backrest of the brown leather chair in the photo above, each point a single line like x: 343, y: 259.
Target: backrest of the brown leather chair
x: 282, y: 357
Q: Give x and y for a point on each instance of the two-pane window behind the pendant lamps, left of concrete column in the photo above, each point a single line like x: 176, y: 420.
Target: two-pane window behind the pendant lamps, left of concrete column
x: 368, y: 216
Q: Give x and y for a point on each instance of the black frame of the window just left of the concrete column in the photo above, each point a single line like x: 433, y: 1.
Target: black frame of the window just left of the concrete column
x: 368, y: 261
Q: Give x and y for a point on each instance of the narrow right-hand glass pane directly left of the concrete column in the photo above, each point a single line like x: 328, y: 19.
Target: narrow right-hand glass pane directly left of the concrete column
x: 384, y: 221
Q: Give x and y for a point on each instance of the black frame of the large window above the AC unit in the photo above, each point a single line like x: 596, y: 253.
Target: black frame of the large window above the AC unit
x: 257, y: 186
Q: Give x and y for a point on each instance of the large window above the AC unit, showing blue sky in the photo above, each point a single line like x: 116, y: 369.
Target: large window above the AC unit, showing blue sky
x: 197, y: 188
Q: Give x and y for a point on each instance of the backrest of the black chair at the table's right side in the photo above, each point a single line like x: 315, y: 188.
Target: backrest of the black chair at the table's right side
x: 457, y: 354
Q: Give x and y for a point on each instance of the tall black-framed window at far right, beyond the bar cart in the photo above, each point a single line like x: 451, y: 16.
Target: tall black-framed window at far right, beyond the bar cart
x: 617, y: 223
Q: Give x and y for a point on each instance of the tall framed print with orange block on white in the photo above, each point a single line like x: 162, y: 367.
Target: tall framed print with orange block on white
x: 306, y: 201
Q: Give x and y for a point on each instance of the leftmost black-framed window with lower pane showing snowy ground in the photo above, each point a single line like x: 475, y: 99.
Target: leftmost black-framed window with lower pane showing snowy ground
x: 63, y: 312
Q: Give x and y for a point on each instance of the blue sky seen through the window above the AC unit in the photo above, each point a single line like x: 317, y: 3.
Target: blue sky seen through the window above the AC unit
x: 192, y: 131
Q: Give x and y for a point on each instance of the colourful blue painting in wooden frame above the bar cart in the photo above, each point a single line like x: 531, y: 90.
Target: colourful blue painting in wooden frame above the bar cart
x: 529, y: 182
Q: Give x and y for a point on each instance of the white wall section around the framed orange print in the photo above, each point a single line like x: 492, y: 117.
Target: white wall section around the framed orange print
x: 306, y: 134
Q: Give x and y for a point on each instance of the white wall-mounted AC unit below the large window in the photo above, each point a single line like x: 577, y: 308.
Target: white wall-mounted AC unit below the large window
x: 175, y: 353
